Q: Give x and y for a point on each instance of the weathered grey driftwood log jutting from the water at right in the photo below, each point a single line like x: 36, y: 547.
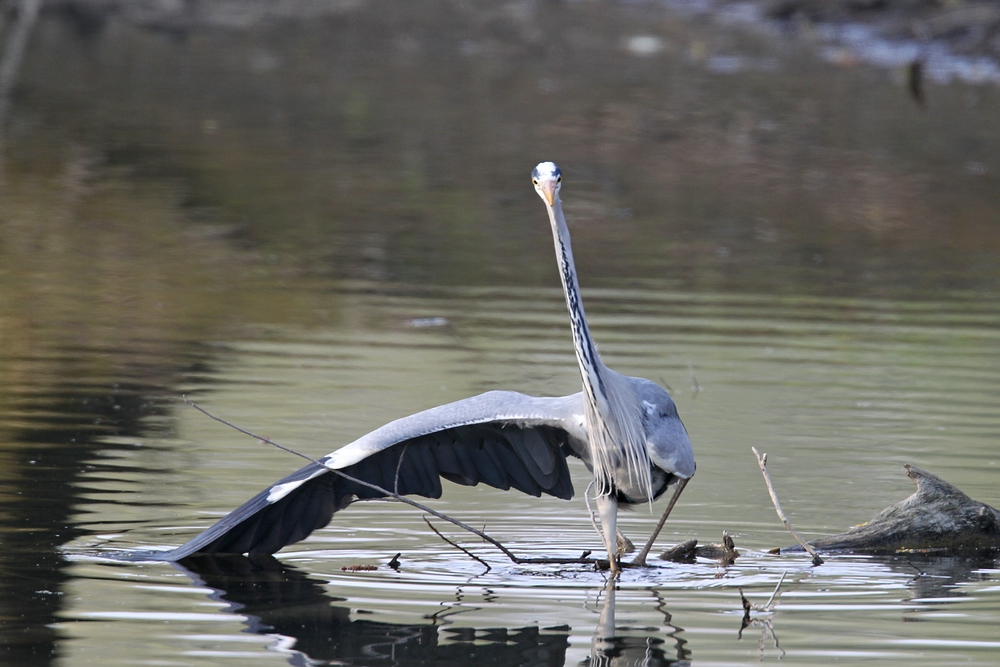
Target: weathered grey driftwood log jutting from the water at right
x: 938, y: 520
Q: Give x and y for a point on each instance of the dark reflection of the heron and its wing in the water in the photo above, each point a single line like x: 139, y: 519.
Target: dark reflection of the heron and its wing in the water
x: 279, y: 600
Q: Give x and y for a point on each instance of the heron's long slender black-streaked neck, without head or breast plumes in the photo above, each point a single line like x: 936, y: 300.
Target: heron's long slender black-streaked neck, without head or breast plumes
x: 591, y: 369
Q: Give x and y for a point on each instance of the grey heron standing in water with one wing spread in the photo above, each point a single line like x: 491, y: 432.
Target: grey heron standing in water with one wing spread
x: 625, y: 429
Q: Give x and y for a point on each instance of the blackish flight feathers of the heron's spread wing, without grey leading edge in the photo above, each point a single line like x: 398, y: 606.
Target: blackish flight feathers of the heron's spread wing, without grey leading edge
x: 529, y: 459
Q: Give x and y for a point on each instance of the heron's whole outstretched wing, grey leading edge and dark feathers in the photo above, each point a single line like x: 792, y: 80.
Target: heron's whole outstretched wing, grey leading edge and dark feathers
x: 503, y: 439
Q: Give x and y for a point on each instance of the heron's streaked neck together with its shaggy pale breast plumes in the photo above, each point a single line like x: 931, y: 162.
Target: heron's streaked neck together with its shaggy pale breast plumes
x: 613, y: 411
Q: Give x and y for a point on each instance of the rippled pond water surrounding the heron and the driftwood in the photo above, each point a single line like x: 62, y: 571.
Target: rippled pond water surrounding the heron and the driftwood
x: 312, y: 227
